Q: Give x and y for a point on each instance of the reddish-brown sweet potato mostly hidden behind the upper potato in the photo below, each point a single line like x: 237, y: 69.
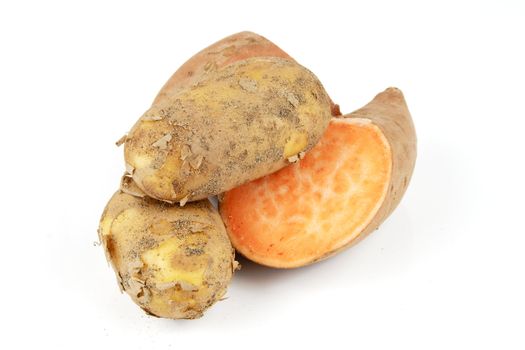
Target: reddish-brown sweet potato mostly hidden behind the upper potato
x: 231, y: 49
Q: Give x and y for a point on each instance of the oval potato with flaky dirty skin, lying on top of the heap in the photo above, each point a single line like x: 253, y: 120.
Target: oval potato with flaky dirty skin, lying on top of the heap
x: 244, y: 121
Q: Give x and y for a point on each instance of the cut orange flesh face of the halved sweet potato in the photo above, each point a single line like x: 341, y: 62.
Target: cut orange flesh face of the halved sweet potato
x: 294, y: 215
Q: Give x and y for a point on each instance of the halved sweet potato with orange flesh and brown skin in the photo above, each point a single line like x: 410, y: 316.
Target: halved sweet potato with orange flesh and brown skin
x: 343, y: 189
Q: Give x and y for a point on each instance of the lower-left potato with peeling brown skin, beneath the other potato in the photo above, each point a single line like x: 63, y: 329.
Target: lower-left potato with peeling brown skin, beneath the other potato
x: 173, y: 262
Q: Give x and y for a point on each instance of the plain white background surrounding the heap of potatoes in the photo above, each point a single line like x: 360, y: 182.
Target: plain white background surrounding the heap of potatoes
x: 445, y: 271
